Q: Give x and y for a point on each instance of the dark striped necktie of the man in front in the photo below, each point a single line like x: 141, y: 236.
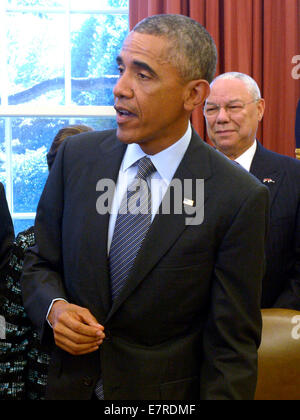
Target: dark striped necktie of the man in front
x: 132, y: 224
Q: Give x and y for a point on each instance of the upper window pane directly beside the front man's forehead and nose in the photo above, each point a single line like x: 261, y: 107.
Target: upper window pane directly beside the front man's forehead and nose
x: 96, y: 42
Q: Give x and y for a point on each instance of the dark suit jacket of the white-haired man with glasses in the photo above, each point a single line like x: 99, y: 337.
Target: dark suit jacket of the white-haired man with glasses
x: 281, y: 284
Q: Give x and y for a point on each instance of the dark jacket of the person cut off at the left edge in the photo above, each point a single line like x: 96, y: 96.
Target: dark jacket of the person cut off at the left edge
x: 6, y: 229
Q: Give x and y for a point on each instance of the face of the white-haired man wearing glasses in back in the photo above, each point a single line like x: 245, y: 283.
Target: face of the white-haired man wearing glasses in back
x: 233, y: 128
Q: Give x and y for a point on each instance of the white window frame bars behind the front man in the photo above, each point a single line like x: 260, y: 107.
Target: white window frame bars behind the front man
x: 68, y: 110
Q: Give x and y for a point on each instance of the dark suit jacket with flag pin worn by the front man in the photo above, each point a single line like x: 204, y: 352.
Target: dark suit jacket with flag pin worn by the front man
x: 188, y: 323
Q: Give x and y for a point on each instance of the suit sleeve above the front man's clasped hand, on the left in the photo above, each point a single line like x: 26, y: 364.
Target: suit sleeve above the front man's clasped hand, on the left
x: 42, y: 278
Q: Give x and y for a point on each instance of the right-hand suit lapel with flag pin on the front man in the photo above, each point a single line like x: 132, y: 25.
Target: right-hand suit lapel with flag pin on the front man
x: 167, y: 227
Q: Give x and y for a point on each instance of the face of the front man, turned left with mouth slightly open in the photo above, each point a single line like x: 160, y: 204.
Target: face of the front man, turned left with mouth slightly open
x: 149, y: 95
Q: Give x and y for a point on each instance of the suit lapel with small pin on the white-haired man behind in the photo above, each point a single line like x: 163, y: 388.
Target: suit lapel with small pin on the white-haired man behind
x: 263, y: 168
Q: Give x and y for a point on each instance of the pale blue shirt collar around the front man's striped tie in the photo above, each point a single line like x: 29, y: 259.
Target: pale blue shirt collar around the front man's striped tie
x: 166, y: 162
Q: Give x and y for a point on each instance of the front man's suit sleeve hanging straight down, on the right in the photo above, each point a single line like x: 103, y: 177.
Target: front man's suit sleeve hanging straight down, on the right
x: 233, y: 330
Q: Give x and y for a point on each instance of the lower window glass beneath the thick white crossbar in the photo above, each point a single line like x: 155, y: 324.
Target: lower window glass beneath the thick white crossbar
x: 31, y: 140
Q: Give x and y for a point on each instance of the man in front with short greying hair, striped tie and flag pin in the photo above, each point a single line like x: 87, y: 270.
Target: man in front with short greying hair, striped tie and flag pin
x: 186, y: 322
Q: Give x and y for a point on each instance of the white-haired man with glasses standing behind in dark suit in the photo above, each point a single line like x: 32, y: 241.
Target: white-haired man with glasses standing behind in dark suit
x: 233, y: 111
